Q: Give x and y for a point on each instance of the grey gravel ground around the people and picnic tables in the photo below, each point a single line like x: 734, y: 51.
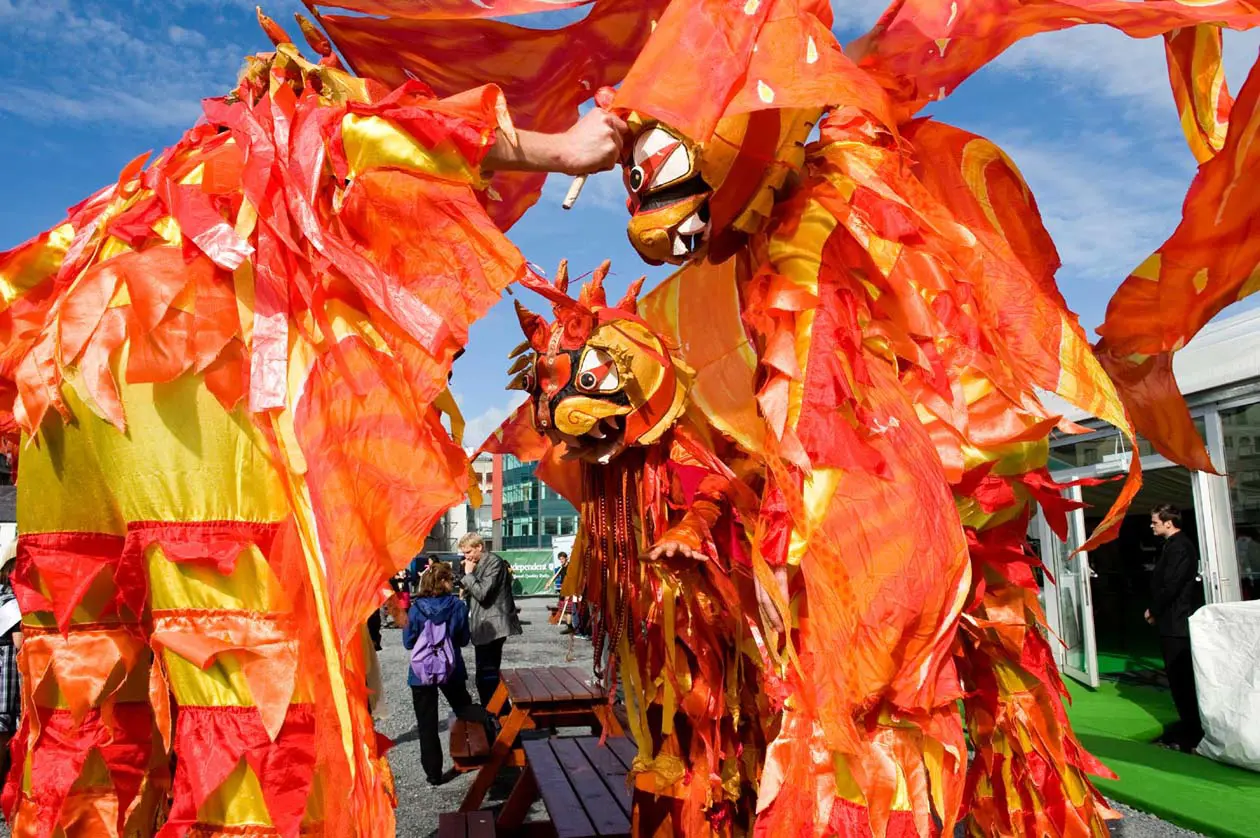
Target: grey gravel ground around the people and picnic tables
x: 420, y: 805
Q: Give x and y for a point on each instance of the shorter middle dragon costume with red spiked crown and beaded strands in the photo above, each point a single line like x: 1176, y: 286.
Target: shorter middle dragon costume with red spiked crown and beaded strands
x: 663, y: 549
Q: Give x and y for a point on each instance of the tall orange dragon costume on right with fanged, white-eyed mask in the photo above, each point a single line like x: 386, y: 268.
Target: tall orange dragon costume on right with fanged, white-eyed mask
x: 898, y: 319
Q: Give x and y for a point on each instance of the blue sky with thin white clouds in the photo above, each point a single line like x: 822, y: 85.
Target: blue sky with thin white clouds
x: 86, y: 85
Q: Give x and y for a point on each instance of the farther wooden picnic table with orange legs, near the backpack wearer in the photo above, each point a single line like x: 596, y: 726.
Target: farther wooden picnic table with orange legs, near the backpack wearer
x: 542, y: 697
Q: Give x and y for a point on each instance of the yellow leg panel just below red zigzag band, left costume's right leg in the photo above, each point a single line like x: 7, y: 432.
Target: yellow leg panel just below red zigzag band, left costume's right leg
x: 251, y: 587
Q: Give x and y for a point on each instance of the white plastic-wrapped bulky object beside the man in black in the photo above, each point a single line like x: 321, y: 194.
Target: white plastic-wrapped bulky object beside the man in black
x: 1225, y: 641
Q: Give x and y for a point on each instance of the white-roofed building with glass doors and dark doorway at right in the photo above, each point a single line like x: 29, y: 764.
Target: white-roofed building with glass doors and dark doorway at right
x: 1096, y: 602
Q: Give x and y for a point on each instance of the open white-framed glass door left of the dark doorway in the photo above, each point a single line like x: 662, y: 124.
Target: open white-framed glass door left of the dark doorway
x: 1069, y: 604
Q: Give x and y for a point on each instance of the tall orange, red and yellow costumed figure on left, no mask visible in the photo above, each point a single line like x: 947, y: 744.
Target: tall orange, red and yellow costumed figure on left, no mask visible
x: 207, y: 366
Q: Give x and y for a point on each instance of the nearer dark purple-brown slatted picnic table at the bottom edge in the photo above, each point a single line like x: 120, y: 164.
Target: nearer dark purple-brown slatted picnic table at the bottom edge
x: 581, y: 783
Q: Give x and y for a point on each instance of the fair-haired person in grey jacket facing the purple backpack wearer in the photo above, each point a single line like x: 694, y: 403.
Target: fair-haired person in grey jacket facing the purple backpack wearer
x: 492, y: 611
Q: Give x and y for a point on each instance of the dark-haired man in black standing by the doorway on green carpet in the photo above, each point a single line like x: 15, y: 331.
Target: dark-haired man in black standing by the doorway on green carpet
x: 1176, y: 593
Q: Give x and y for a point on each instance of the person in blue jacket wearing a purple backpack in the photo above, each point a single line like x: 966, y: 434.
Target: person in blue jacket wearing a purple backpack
x: 438, y: 626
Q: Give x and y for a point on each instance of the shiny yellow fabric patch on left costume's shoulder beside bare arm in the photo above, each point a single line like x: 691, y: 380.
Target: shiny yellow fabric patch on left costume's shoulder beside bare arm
x: 376, y: 143
